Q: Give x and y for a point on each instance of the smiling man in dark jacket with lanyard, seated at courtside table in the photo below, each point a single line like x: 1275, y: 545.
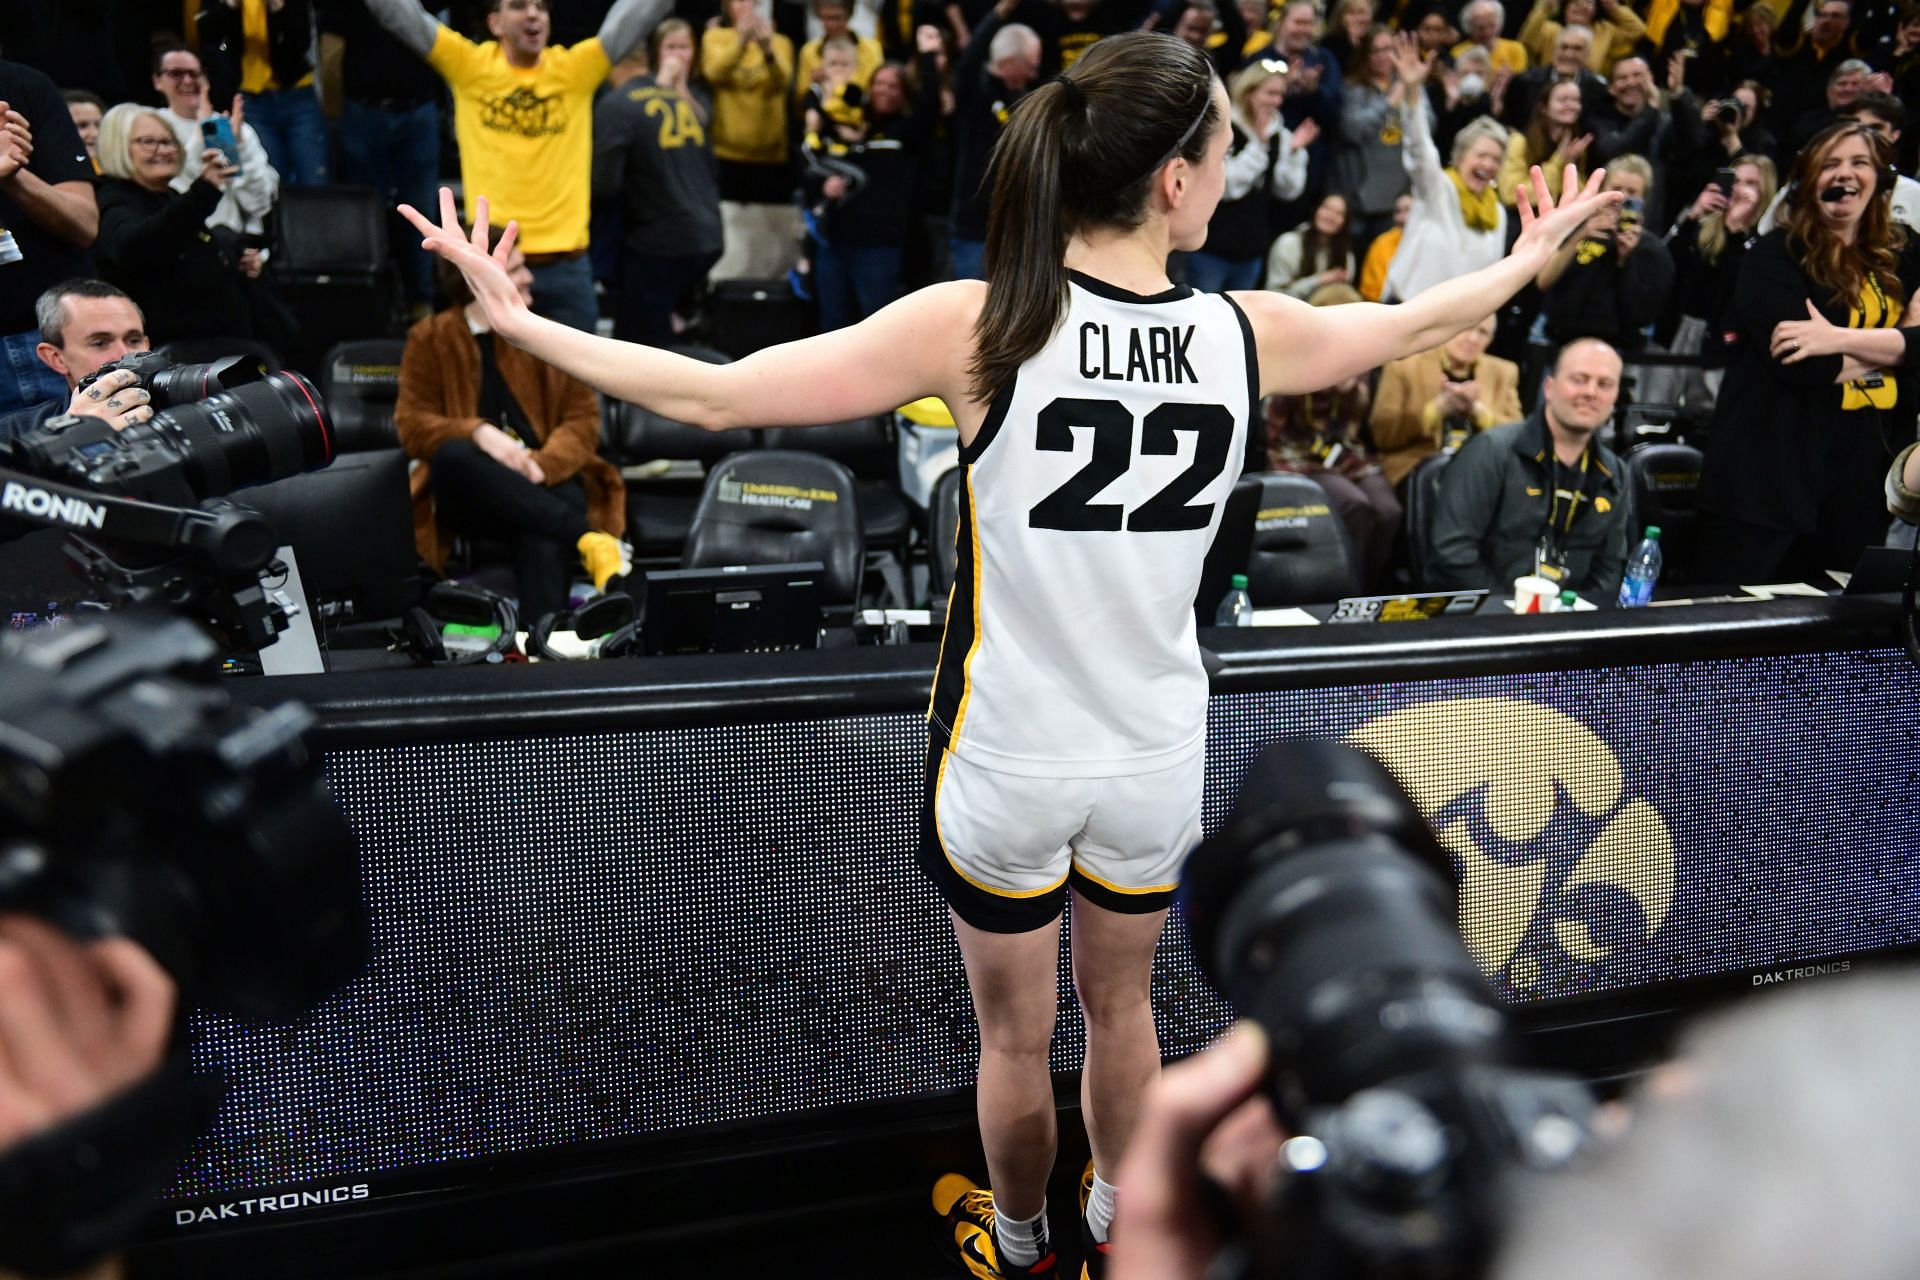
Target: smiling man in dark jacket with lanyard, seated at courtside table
x: 1541, y: 496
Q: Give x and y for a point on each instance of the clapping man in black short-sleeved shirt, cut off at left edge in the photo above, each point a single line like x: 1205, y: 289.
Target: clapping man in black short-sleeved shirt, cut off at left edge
x: 47, y: 208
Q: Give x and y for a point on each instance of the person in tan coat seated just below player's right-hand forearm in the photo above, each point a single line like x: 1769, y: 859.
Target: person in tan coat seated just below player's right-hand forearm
x: 1439, y: 398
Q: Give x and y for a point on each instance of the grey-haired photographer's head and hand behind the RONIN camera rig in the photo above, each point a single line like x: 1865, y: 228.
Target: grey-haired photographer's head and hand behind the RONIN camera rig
x: 85, y: 325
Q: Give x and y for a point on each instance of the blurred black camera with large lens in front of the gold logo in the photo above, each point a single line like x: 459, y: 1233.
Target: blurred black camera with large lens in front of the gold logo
x: 1326, y: 913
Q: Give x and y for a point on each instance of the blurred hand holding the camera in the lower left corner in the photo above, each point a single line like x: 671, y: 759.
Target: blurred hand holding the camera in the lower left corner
x: 80, y: 1022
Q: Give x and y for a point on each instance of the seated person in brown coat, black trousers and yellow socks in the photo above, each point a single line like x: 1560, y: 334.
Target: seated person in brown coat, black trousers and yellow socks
x: 508, y: 450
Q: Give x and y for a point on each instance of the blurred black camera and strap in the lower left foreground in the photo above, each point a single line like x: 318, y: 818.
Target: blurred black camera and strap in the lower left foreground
x: 139, y: 801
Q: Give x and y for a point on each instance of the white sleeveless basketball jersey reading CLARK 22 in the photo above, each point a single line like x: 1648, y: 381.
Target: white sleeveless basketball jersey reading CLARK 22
x: 1088, y: 508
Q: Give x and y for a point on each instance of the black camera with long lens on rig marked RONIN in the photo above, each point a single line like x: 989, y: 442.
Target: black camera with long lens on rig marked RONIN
x: 147, y: 515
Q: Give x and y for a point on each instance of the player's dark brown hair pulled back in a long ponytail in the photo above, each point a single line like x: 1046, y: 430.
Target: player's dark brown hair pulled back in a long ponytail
x: 1080, y: 151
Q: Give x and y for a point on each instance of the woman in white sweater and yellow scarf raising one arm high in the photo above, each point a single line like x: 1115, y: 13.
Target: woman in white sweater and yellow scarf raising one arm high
x: 1458, y: 224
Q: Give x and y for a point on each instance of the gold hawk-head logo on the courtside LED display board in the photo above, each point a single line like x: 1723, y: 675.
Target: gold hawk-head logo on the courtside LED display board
x: 1554, y: 857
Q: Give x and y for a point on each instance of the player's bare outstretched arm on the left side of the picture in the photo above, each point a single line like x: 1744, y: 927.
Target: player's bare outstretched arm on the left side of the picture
x: 905, y: 352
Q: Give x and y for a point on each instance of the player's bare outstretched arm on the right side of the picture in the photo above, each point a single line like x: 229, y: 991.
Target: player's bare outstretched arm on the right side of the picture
x: 1310, y: 348
